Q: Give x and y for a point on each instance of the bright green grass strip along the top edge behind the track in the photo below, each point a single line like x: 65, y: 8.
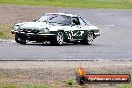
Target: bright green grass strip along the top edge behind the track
x: 116, y: 4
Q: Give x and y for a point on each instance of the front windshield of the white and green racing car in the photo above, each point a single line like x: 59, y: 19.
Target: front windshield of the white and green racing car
x: 55, y: 18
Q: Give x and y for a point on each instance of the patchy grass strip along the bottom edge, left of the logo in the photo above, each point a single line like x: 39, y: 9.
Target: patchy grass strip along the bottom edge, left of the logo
x: 58, y: 84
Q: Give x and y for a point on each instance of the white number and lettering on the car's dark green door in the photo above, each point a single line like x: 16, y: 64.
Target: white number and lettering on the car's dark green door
x: 72, y: 34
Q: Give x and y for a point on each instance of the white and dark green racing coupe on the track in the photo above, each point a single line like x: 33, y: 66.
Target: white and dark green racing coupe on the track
x: 56, y: 28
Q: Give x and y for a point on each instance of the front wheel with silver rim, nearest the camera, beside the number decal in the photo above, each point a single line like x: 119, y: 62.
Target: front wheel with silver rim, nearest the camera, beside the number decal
x: 59, y: 39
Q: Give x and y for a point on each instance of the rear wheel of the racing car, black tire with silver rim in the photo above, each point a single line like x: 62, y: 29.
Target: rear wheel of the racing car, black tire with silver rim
x: 88, y: 38
